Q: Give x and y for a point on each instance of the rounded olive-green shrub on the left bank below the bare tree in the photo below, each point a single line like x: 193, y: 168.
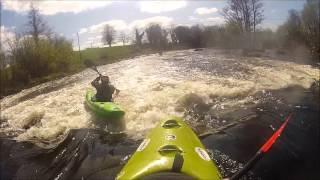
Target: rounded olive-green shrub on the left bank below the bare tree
x: 45, y: 57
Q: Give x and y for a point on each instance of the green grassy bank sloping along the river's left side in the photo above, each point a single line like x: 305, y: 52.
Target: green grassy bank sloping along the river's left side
x: 99, y: 56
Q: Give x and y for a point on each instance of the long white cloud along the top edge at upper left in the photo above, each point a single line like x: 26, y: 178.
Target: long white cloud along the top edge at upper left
x: 52, y: 7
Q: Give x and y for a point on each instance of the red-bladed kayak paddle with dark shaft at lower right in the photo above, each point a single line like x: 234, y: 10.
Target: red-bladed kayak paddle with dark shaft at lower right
x: 262, y: 151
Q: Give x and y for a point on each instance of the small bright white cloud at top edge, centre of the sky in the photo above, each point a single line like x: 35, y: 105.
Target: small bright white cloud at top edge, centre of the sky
x: 161, y: 6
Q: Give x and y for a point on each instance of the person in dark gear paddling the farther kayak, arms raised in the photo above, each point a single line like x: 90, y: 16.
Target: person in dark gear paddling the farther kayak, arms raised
x: 104, y: 89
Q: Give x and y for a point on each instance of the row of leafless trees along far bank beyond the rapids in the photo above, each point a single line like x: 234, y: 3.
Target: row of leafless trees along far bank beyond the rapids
x: 241, y: 30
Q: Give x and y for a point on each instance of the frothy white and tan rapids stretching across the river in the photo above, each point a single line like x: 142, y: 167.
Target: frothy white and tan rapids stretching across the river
x: 152, y: 87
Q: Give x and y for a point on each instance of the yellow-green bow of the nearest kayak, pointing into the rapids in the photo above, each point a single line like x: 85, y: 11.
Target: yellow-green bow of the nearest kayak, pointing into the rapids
x: 172, y: 149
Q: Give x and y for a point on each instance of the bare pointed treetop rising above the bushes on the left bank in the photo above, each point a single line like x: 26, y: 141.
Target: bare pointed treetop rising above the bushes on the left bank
x: 37, y: 26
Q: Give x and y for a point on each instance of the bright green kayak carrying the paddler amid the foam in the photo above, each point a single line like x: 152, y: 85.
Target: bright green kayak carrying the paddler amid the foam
x: 108, y: 110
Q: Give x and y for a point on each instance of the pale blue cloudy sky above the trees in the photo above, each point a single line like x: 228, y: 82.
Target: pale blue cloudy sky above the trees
x: 69, y: 17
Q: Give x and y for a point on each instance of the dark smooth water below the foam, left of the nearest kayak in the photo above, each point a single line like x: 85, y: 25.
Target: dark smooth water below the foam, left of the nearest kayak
x: 84, y: 154
